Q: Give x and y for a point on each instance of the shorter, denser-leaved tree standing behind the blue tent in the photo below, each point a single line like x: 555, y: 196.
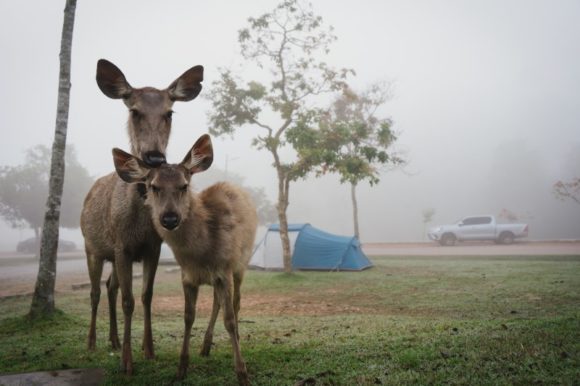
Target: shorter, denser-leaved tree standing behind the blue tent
x: 349, y: 140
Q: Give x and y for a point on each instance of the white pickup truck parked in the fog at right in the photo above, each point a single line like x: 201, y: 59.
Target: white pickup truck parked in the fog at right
x: 478, y: 228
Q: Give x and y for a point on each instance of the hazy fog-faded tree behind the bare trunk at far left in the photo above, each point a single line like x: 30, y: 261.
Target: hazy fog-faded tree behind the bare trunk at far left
x: 24, y: 189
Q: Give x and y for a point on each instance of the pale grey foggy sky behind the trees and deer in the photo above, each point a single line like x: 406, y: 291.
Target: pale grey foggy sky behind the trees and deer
x: 485, y: 98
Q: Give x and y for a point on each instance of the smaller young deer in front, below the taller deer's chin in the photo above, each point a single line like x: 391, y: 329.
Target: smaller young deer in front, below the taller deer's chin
x: 211, y: 234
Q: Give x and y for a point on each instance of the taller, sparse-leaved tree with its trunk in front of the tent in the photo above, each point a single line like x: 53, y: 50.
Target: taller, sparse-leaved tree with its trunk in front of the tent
x: 286, y: 45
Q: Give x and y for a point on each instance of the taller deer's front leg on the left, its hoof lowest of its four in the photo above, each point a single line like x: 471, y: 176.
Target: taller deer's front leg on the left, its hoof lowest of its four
x: 124, y: 269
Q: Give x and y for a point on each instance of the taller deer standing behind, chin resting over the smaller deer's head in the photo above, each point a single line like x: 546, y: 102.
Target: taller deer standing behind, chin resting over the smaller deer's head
x: 115, y: 222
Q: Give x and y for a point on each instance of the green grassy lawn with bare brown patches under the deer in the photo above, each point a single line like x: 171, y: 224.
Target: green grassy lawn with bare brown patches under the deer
x: 411, y: 320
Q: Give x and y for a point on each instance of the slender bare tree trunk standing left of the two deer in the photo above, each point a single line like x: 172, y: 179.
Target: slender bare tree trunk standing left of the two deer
x: 43, y: 299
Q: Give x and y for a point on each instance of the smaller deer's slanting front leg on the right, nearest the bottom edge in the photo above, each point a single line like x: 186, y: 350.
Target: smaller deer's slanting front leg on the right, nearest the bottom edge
x: 225, y: 288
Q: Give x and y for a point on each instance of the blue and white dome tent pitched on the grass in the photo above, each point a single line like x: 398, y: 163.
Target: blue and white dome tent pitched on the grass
x: 311, y: 248
